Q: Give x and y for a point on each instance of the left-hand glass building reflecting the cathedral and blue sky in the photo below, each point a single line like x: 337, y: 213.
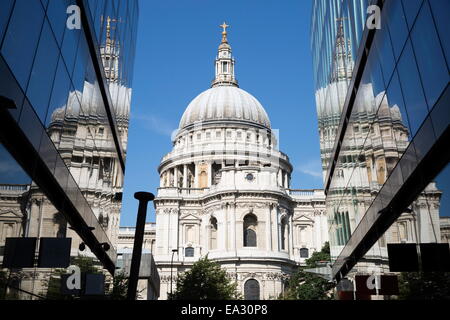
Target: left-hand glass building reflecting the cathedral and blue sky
x: 66, y: 69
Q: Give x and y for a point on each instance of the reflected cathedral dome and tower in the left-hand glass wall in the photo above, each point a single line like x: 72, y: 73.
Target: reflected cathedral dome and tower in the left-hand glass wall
x: 83, y: 137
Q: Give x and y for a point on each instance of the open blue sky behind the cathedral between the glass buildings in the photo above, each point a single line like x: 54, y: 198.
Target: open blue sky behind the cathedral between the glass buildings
x: 176, y: 46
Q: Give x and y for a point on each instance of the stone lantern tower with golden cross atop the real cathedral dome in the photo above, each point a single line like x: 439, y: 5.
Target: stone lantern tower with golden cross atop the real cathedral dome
x: 224, y: 63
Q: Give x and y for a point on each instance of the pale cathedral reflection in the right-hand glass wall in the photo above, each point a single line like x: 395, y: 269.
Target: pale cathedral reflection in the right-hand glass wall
x: 376, y: 138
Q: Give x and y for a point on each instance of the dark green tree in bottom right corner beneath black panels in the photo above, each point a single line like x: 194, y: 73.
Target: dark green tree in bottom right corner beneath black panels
x: 424, y: 286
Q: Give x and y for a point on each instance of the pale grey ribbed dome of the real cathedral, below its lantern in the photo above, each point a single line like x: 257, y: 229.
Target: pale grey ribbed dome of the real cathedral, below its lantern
x: 225, y: 103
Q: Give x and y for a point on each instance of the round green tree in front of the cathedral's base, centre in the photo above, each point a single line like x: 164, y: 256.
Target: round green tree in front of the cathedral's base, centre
x: 206, y: 280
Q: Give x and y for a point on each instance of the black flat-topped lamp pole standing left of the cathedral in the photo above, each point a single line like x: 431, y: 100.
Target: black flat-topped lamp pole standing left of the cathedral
x: 144, y: 198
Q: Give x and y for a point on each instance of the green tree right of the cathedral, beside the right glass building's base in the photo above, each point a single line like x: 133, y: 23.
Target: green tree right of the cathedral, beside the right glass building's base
x: 307, y: 286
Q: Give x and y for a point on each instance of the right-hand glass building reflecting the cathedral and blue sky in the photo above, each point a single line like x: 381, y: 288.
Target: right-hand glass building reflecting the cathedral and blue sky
x: 383, y: 104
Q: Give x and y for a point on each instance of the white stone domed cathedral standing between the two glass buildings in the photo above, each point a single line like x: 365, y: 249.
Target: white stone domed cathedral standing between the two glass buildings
x: 225, y: 192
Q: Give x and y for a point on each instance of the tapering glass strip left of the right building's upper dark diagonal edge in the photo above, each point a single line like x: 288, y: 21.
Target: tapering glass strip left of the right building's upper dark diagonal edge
x: 334, y: 48
